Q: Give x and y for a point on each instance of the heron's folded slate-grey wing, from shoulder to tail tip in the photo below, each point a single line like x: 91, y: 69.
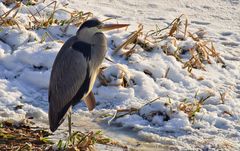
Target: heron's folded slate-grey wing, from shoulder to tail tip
x: 68, y: 75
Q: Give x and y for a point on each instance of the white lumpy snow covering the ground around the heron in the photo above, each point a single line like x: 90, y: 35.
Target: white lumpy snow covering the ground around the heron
x: 25, y: 65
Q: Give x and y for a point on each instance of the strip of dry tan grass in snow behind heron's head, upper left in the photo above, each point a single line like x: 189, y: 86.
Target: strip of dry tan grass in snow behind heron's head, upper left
x: 40, y: 19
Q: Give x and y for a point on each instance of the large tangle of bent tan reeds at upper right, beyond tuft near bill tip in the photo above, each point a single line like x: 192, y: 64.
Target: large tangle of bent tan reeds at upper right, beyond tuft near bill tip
x: 177, y: 31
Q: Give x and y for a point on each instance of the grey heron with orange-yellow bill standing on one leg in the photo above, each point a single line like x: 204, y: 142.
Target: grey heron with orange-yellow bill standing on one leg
x: 75, y: 70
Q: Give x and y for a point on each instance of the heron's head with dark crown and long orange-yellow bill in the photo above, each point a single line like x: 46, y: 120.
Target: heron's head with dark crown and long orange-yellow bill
x: 92, y: 26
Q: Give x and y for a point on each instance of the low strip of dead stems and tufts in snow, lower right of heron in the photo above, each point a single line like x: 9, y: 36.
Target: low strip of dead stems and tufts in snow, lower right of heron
x: 189, y: 107
